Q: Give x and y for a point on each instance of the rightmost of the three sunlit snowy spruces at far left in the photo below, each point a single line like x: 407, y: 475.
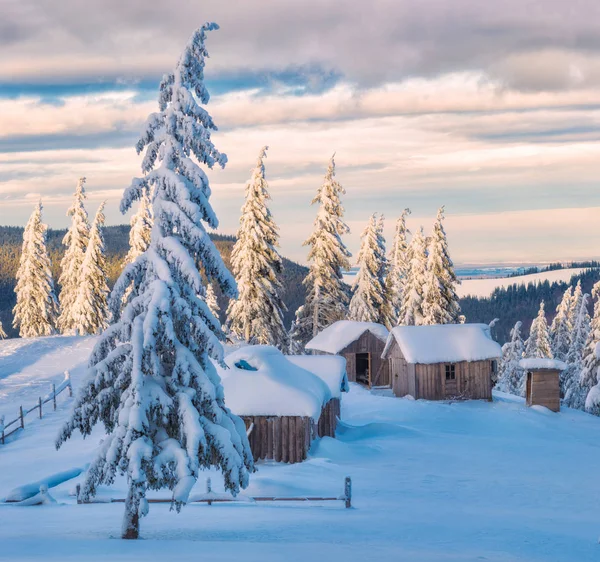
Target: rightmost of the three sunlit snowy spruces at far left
x: 90, y: 312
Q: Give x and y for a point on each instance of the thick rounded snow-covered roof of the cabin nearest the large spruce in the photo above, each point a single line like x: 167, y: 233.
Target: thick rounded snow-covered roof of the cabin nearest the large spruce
x: 275, y: 386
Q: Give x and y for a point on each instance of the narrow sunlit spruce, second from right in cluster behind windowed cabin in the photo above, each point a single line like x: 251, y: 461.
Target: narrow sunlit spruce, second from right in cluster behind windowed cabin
x: 412, y: 301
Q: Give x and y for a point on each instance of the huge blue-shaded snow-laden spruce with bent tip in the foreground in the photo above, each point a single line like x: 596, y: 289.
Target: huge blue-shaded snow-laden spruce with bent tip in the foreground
x: 151, y: 381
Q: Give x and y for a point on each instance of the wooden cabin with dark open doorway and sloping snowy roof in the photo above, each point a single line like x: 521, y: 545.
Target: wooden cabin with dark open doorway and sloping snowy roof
x: 361, y: 344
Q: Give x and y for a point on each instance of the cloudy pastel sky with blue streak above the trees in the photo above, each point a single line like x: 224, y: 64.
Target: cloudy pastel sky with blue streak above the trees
x: 491, y: 109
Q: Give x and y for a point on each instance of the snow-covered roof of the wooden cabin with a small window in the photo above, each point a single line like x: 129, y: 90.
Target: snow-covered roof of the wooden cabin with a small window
x: 444, y: 343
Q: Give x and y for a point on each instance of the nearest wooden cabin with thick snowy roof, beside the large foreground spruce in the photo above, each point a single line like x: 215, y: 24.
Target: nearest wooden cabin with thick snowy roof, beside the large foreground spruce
x: 283, y: 405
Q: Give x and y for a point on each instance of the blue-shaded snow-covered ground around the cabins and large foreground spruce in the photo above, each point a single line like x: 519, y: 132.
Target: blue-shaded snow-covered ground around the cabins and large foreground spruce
x: 431, y: 481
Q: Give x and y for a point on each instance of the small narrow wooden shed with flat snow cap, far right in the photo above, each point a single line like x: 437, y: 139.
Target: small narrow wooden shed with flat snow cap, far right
x: 542, y: 383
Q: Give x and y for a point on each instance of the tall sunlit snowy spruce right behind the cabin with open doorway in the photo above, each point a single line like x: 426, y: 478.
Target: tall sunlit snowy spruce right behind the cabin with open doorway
x: 327, y: 296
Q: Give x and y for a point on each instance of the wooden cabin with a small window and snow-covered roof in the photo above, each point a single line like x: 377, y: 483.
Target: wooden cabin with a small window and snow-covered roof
x: 442, y: 362
